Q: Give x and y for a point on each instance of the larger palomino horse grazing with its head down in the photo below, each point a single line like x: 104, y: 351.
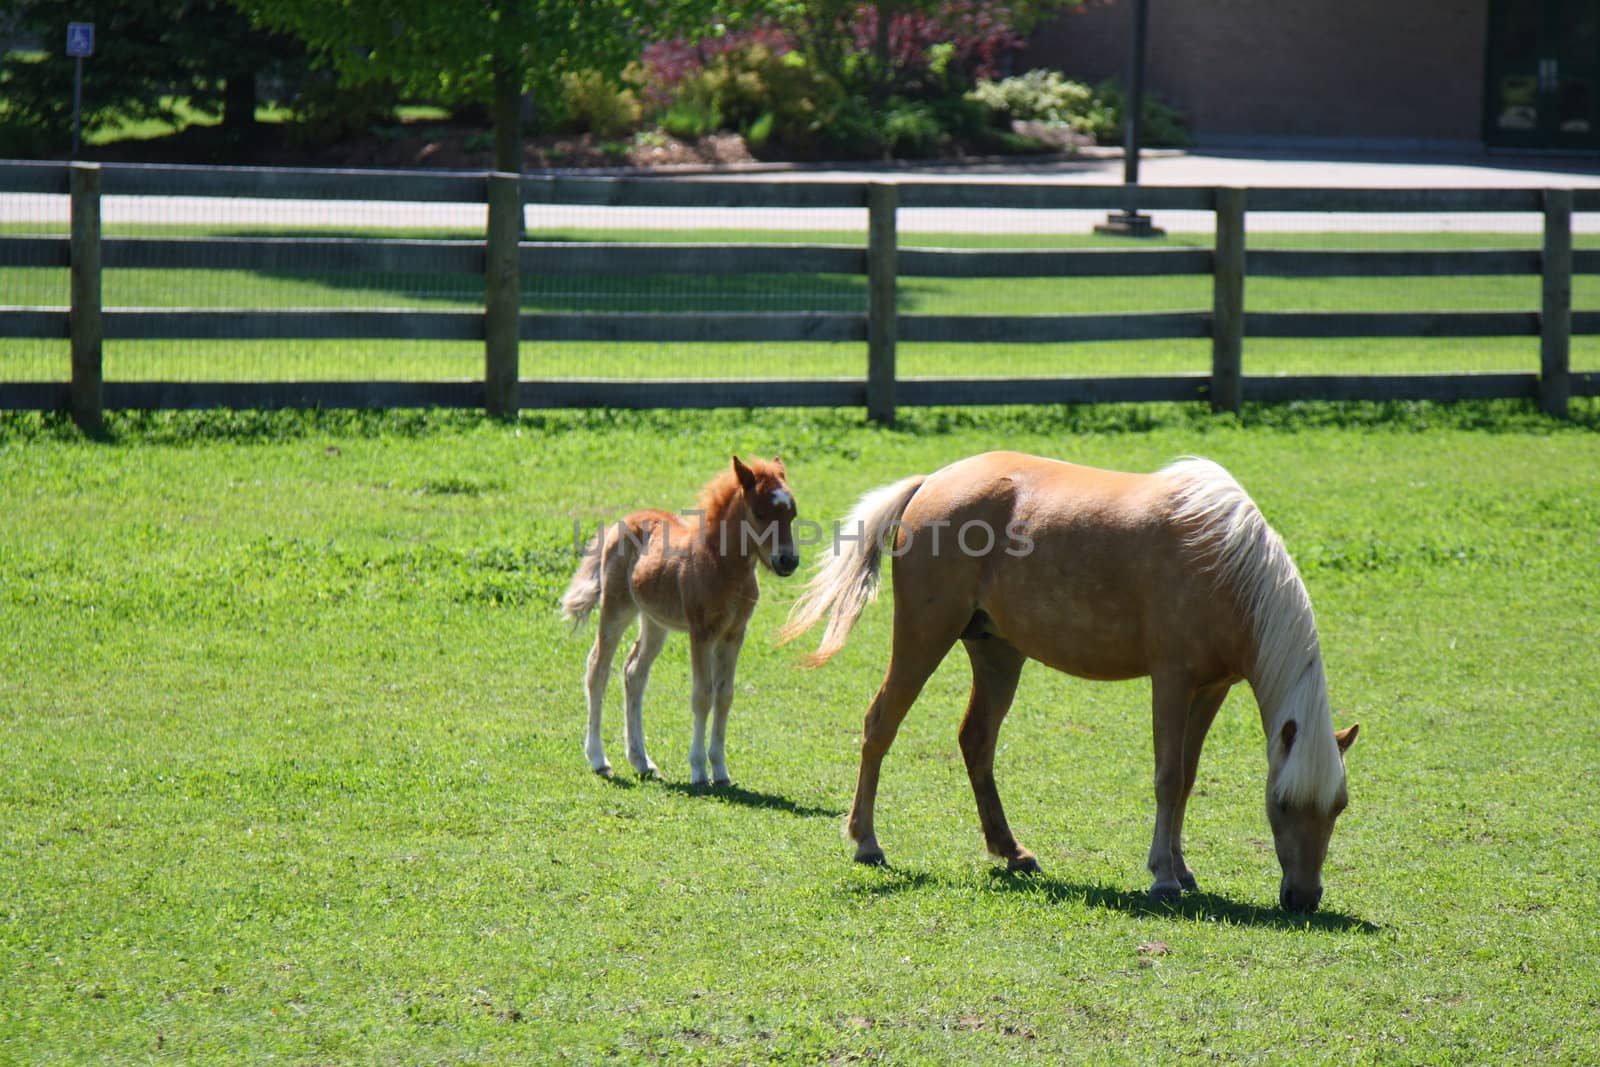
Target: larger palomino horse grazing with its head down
x: 1102, y: 575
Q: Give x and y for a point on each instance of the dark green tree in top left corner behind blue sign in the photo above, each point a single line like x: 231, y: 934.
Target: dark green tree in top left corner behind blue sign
x: 148, y: 54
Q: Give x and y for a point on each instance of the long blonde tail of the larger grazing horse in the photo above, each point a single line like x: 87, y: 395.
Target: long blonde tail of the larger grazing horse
x: 849, y: 580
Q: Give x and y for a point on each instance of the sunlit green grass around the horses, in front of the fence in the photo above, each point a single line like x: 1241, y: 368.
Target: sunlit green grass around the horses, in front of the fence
x: 290, y: 733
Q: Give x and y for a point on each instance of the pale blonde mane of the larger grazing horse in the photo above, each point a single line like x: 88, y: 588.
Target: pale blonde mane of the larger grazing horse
x: 1249, y: 559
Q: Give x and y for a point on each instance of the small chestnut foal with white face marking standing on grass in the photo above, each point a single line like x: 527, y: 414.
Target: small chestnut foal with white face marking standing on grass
x: 684, y: 577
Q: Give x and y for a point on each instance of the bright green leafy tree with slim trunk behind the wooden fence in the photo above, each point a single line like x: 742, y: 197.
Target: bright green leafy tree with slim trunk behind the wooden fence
x: 492, y: 54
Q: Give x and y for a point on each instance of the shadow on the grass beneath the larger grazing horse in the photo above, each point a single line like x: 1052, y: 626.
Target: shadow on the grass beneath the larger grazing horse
x: 1206, y: 908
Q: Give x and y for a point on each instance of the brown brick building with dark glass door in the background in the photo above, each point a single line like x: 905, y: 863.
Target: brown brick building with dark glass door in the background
x: 1438, y: 74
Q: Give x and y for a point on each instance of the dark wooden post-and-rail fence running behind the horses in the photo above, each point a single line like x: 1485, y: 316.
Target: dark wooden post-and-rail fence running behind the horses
x: 503, y: 260
